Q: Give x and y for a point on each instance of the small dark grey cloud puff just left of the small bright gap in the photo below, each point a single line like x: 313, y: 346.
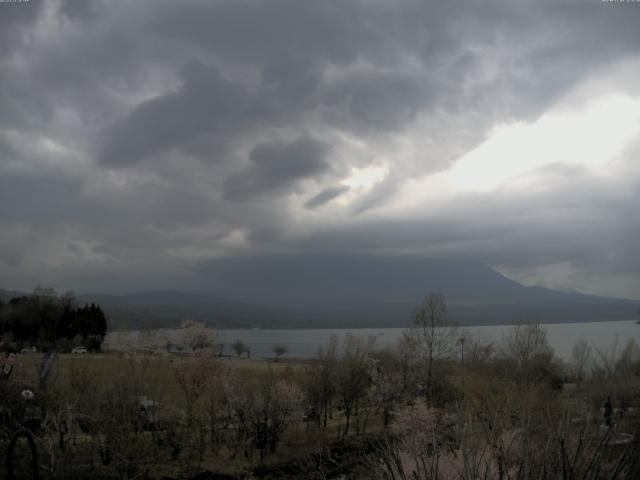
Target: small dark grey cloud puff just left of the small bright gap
x: 277, y: 165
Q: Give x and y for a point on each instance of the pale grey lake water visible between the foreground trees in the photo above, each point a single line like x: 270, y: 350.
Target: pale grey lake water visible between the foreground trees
x: 305, y: 343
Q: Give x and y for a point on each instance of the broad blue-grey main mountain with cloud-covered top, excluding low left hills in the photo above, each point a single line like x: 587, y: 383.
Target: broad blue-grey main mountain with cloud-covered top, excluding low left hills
x: 384, y: 290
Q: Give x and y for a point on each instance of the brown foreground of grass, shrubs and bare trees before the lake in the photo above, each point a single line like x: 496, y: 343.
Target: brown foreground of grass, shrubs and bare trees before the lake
x: 436, y: 404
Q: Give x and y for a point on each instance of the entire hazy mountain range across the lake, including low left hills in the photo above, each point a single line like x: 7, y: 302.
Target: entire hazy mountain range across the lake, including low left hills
x: 350, y: 291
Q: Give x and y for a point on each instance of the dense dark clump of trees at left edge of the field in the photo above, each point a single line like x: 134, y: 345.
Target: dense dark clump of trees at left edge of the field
x: 49, y: 321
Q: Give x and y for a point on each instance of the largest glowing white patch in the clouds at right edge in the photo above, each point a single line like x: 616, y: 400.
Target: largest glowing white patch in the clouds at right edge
x: 590, y: 138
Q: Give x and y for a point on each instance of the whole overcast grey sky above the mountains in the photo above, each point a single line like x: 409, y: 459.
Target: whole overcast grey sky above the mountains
x: 139, y: 139
